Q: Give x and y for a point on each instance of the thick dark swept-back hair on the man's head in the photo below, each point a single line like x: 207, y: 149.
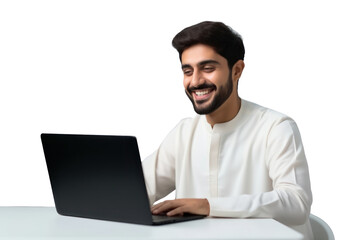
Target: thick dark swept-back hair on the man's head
x: 225, y: 41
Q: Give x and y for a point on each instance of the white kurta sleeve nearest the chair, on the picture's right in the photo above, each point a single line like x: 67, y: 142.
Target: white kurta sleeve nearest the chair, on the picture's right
x: 290, y: 200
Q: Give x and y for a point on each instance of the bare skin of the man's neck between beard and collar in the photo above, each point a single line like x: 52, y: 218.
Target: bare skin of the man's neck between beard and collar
x: 225, y: 112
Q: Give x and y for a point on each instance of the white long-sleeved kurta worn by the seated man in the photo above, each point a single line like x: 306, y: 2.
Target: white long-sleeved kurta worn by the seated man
x: 251, y: 166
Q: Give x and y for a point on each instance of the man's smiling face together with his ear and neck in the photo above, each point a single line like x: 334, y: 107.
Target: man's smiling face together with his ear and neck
x: 209, y: 83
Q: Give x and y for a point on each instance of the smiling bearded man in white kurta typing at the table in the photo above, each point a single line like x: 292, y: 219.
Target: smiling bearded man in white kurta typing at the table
x: 235, y: 158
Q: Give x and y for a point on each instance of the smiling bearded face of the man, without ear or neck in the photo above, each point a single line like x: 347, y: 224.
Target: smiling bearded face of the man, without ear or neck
x: 207, y: 78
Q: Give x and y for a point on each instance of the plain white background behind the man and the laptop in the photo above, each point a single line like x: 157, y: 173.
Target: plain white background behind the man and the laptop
x: 108, y: 67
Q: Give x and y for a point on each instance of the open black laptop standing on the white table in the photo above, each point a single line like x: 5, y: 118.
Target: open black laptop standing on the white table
x: 100, y: 177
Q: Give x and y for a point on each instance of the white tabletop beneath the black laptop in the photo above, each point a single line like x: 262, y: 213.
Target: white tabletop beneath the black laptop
x: 44, y: 223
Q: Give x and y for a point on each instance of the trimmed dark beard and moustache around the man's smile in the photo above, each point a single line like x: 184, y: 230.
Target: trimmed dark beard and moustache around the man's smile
x: 221, y: 95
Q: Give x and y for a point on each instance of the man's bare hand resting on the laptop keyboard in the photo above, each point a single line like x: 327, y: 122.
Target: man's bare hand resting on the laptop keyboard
x: 181, y: 206
